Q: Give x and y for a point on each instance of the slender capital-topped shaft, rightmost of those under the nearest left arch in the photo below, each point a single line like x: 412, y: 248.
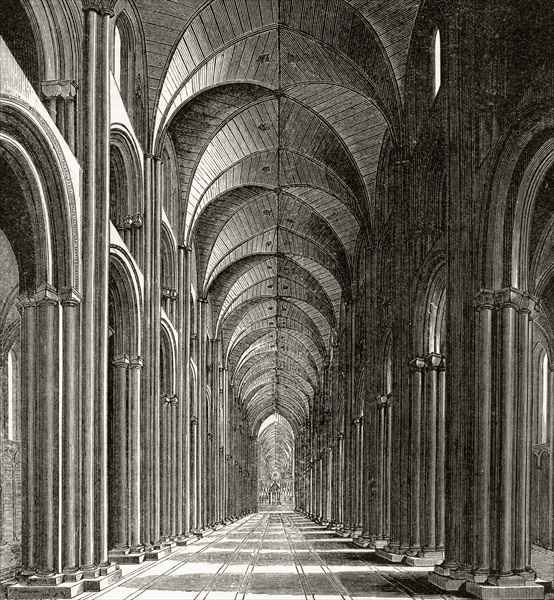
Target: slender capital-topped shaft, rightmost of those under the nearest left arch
x: 70, y: 301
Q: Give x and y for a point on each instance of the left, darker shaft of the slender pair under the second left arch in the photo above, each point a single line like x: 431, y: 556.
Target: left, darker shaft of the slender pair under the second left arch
x: 119, y: 483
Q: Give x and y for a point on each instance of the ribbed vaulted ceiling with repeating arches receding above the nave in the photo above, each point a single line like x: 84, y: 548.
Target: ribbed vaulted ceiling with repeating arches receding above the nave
x: 277, y: 110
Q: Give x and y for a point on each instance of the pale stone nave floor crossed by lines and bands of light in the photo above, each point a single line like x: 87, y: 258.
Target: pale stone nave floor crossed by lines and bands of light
x: 271, y: 554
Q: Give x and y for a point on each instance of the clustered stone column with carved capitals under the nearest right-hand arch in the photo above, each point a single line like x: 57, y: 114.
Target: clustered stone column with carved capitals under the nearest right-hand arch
x: 498, y: 560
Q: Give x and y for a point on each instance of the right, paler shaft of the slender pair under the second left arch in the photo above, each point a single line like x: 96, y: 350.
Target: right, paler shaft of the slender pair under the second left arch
x: 134, y: 453
